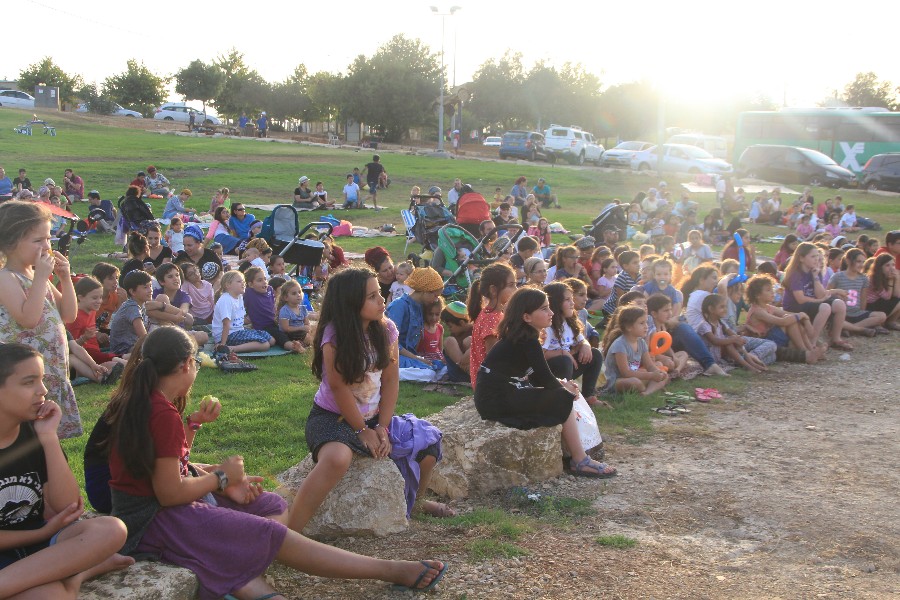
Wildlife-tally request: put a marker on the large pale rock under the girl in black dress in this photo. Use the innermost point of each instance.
(483, 456)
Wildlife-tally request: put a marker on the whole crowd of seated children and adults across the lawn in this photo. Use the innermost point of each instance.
(529, 328)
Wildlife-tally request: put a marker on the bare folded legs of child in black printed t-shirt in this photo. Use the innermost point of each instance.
(83, 550)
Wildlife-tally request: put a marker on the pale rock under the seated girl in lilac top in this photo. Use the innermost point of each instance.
(368, 501)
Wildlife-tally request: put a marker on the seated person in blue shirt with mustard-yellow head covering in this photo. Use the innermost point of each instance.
(407, 313)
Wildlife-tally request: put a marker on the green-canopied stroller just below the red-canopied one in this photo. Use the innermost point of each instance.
(462, 251)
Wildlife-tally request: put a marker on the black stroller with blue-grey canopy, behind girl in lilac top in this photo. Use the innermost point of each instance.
(282, 232)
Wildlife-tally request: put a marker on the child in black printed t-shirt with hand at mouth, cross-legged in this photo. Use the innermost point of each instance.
(49, 557)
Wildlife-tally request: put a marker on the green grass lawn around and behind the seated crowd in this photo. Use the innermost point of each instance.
(265, 411)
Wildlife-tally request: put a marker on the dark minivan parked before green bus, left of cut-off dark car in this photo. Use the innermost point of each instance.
(793, 165)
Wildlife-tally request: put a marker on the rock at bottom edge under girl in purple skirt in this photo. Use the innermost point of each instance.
(144, 580)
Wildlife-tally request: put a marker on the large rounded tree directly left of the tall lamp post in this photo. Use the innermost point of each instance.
(394, 89)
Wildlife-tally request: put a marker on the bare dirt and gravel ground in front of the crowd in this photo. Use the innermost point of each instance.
(787, 491)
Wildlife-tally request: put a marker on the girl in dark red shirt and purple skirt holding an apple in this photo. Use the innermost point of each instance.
(215, 521)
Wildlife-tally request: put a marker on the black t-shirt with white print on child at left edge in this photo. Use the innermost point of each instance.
(23, 473)
